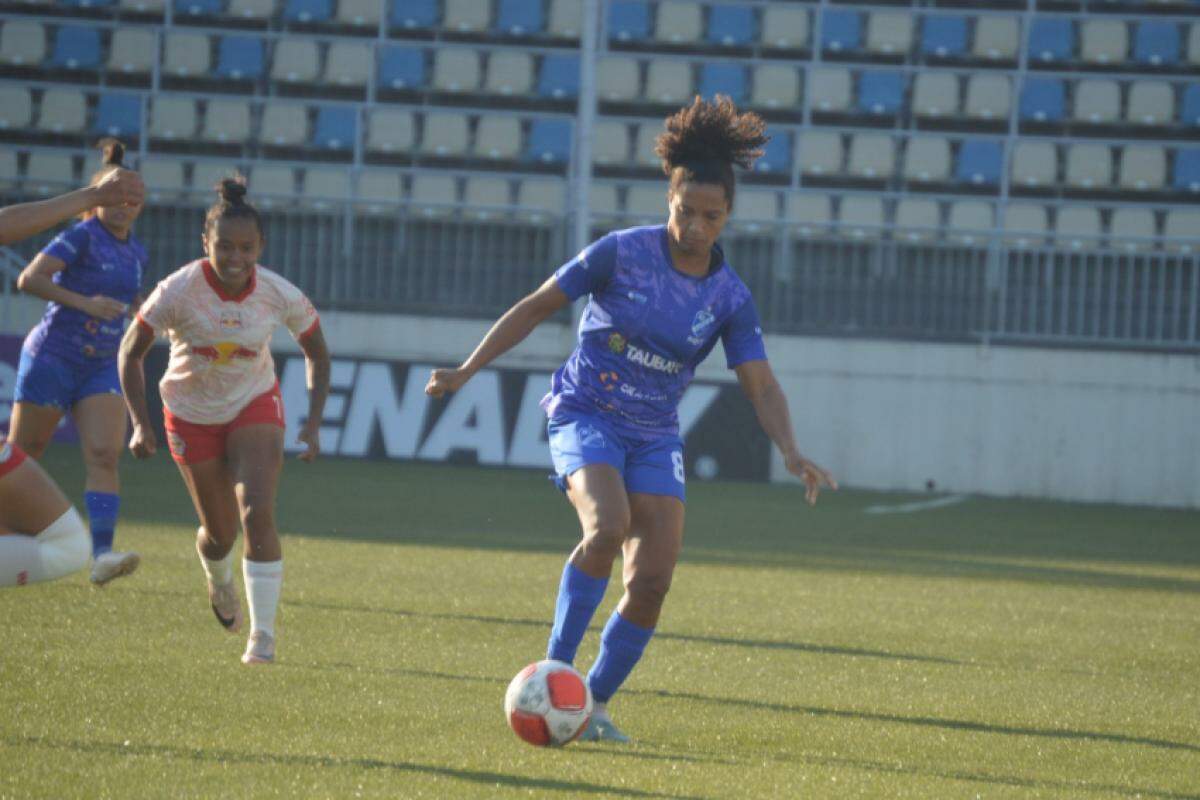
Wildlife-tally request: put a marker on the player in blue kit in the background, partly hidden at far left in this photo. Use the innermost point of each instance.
(92, 276)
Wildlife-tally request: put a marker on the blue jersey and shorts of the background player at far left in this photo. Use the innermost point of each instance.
(98, 263)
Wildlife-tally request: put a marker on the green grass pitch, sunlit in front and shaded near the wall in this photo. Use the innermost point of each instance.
(992, 649)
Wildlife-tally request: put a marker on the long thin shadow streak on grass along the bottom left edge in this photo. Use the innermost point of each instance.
(218, 756)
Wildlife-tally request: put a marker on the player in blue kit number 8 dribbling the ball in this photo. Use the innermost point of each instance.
(661, 299)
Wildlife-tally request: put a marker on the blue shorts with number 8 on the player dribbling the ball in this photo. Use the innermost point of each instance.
(649, 465)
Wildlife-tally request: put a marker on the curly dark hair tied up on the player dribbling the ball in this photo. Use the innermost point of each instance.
(705, 141)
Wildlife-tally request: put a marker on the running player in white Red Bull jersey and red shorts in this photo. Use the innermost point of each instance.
(223, 406)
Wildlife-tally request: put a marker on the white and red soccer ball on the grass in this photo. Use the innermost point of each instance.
(548, 703)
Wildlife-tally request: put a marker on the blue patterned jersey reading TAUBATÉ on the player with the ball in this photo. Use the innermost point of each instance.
(646, 329)
